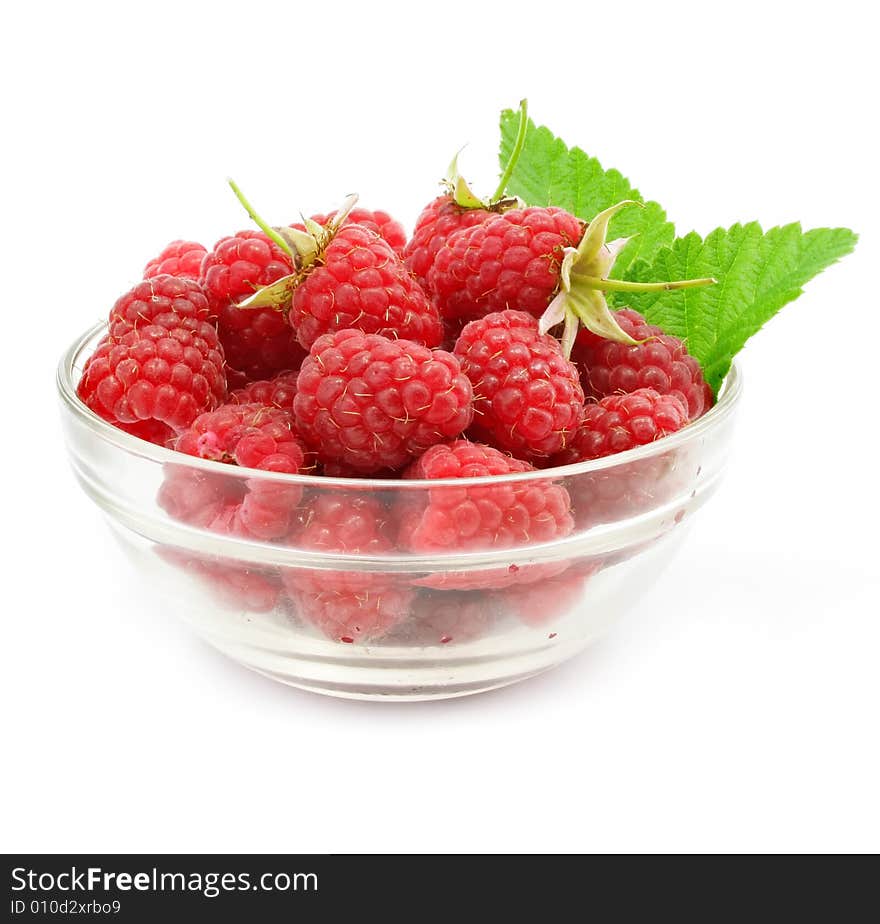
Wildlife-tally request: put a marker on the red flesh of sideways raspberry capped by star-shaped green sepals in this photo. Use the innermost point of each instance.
(511, 260)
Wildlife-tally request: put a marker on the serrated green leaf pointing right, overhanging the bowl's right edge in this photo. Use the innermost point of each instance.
(757, 274)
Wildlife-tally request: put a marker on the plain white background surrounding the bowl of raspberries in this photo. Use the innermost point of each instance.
(735, 709)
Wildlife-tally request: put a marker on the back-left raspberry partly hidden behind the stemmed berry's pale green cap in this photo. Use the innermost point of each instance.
(258, 341)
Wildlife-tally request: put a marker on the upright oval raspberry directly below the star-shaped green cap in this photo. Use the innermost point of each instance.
(528, 397)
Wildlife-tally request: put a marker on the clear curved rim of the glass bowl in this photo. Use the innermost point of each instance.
(728, 398)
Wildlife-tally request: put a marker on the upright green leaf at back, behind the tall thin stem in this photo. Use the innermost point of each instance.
(549, 173)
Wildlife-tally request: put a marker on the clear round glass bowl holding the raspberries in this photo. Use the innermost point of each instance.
(398, 625)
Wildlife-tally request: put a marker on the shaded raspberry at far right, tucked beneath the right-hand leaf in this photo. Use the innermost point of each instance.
(662, 363)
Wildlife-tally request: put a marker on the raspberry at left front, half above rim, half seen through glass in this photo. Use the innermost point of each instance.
(250, 436)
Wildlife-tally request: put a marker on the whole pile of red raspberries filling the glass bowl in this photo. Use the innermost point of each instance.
(390, 358)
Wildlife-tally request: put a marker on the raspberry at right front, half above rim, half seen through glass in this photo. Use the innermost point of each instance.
(615, 424)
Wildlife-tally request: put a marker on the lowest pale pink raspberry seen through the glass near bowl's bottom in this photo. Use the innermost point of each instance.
(354, 617)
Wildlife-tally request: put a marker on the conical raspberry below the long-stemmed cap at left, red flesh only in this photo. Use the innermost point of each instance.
(359, 282)
